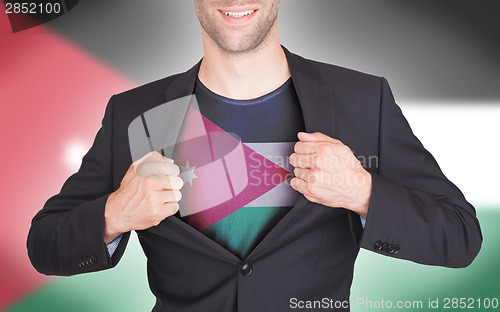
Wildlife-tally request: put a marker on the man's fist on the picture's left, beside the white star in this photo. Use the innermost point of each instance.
(148, 193)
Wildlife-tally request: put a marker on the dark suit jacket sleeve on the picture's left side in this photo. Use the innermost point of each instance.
(67, 236)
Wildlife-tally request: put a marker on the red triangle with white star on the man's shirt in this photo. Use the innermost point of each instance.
(221, 174)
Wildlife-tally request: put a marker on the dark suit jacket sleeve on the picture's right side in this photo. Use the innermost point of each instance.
(415, 212)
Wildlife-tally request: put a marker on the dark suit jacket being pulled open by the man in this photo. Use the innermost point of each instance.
(415, 213)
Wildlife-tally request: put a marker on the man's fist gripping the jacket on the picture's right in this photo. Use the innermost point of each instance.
(328, 173)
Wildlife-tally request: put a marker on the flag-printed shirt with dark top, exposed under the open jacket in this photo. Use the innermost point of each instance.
(253, 143)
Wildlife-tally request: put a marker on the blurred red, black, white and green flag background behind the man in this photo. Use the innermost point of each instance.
(440, 57)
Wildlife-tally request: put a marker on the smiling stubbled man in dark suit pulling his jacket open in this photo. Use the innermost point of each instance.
(257, 246)
